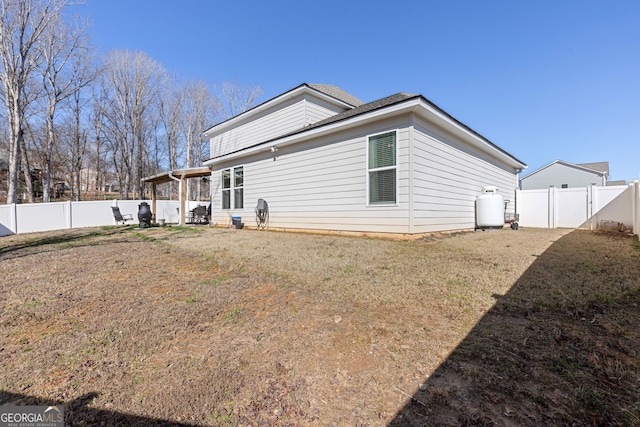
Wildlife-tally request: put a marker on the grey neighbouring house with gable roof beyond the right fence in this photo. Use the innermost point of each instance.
(561, 174)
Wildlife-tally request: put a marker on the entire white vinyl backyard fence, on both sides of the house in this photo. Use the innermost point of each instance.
(586, 207)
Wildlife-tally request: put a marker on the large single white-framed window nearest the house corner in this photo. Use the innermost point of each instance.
(382, 168)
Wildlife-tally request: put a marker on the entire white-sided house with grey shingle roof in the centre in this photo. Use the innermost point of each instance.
(324, 160)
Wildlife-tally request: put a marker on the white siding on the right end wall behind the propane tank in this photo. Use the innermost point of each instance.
(448, 177)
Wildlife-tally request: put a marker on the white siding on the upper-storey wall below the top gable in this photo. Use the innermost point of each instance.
(284, 118)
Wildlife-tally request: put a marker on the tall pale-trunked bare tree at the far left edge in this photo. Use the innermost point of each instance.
(22, 23)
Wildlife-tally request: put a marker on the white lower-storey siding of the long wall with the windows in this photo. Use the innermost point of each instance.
(321, 184)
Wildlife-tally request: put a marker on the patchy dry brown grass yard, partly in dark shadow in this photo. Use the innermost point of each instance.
(207, 326)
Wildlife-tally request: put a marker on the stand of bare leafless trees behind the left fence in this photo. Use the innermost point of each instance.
(45, 57)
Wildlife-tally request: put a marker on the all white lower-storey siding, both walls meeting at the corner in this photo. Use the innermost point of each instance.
(321, 184)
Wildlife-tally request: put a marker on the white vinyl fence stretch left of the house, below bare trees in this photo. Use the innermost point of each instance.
(32, 217)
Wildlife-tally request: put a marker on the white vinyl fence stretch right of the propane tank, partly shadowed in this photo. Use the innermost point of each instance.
(586, 207)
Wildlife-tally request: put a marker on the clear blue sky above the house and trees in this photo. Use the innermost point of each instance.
(544, 80)
